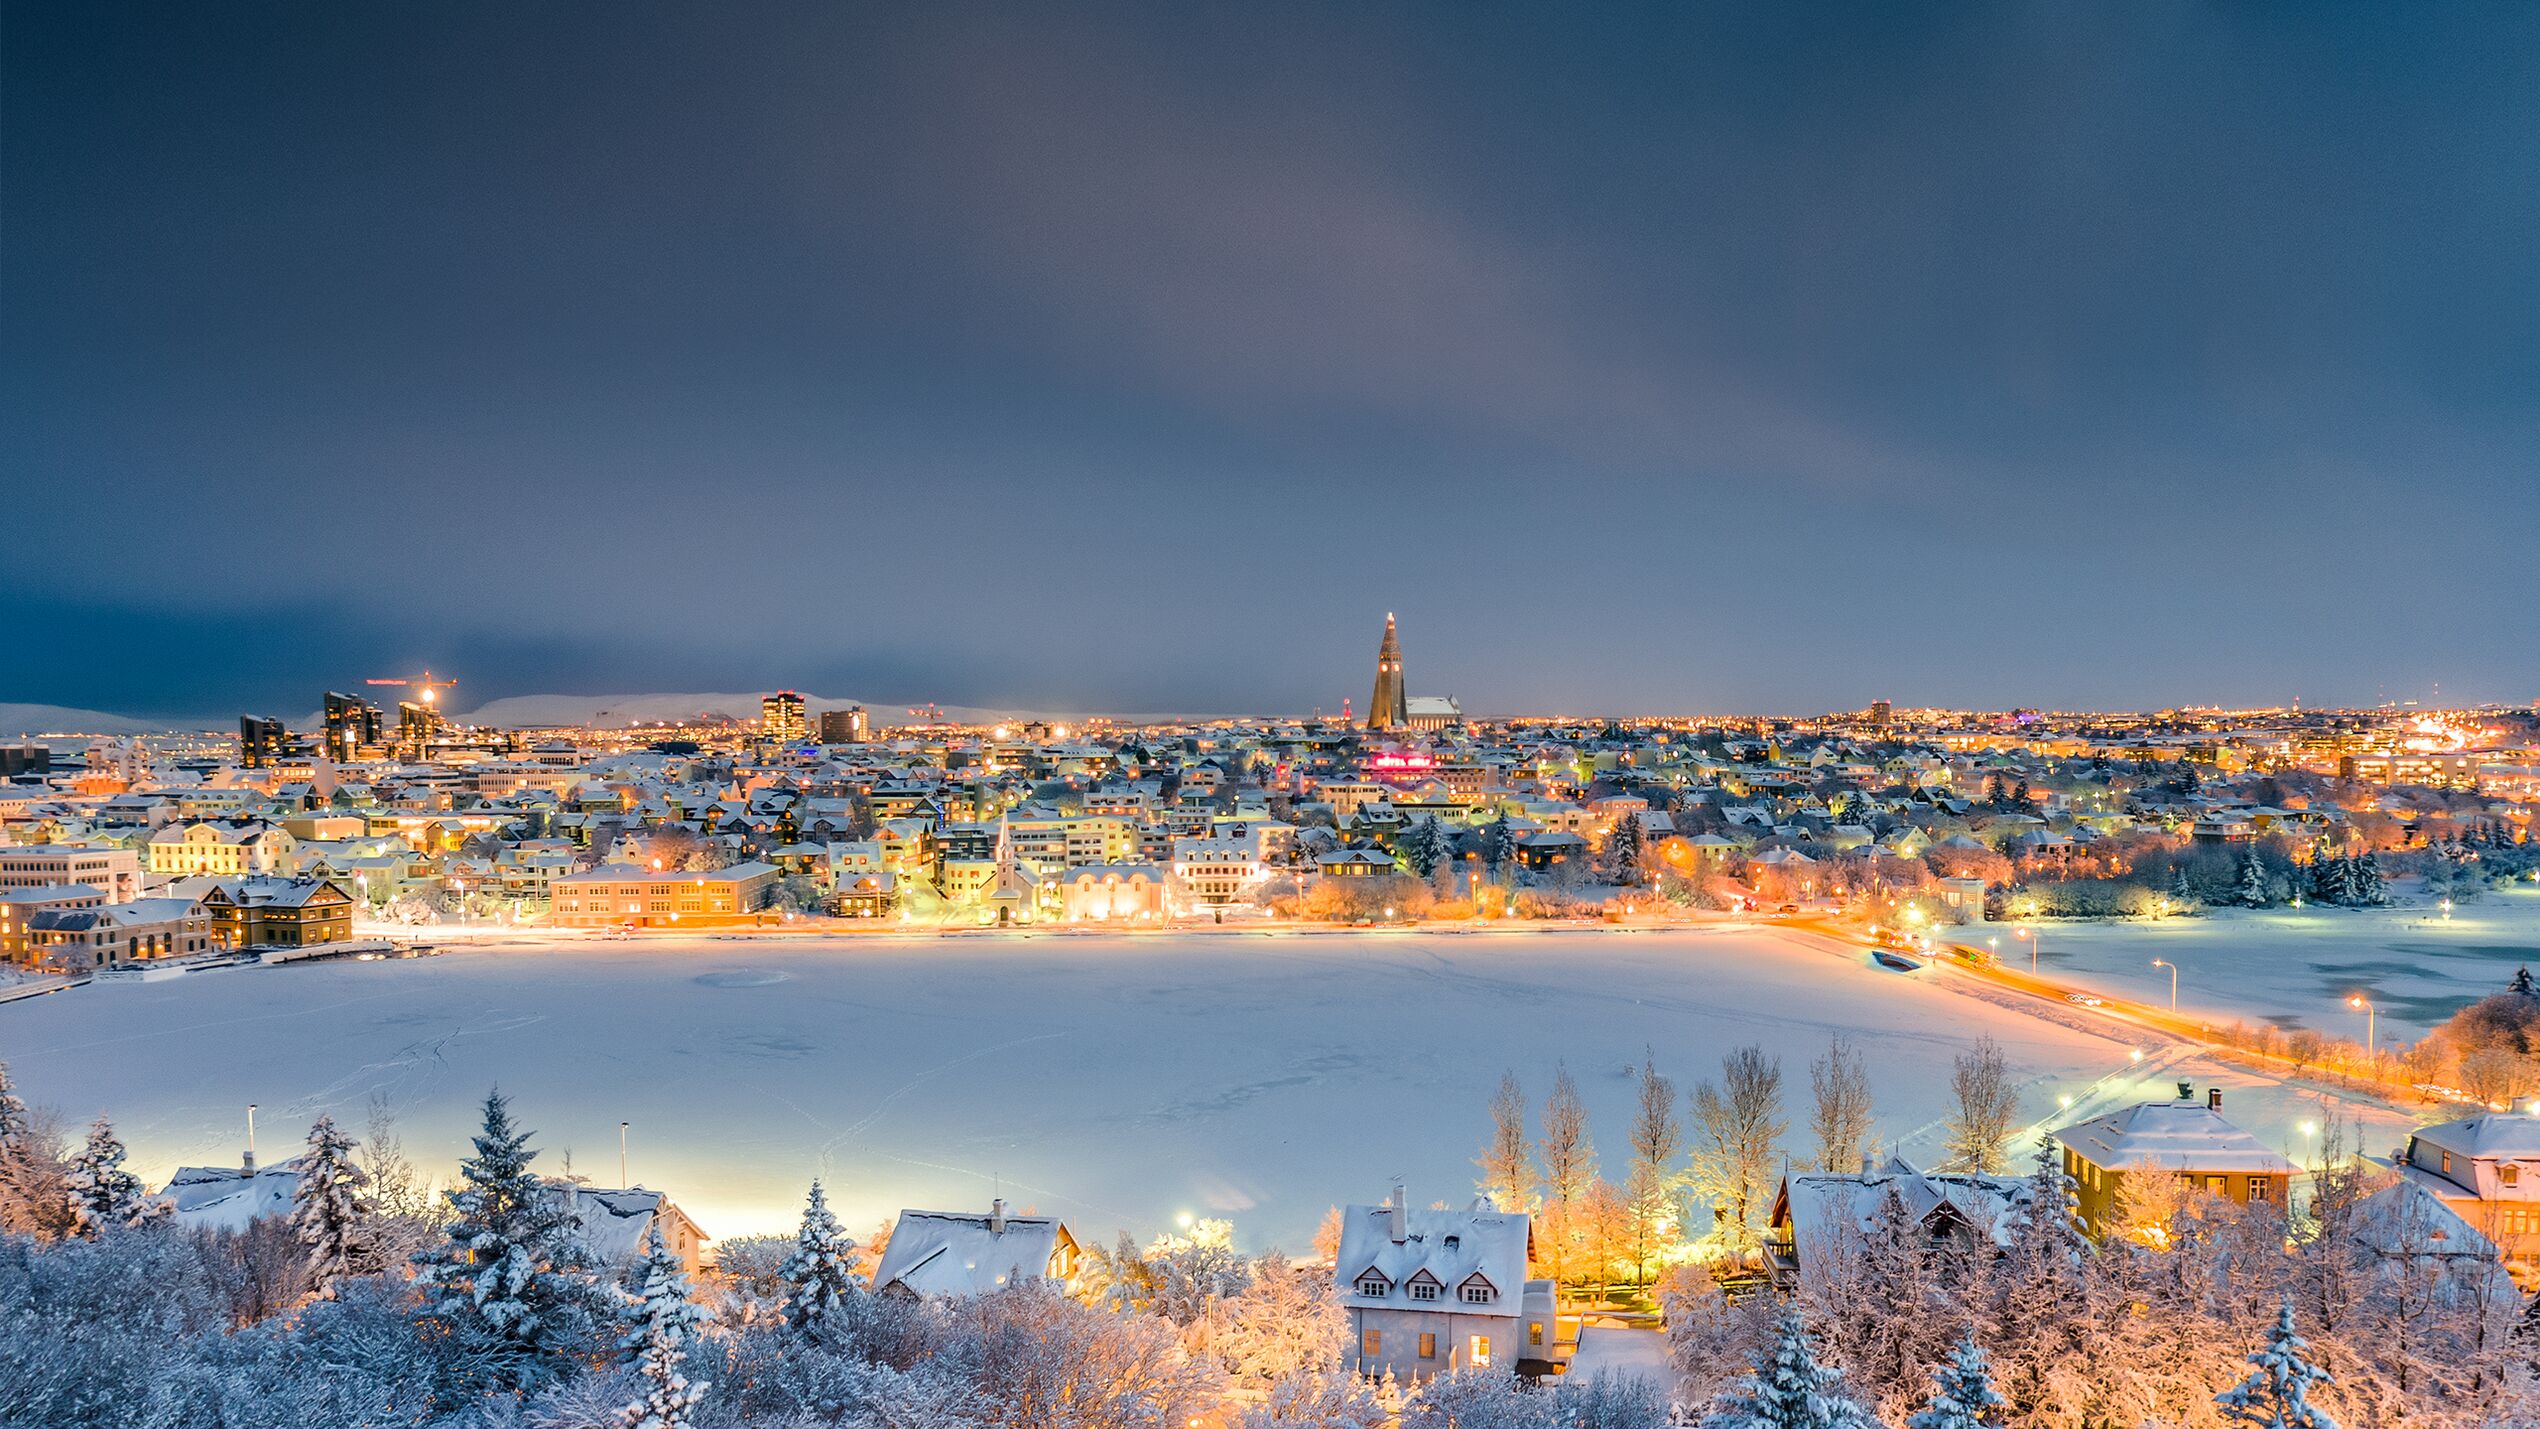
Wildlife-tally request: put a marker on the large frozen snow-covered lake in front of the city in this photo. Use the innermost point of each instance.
(1114, 1080)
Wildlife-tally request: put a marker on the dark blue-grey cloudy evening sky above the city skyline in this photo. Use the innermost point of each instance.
(1680, 359)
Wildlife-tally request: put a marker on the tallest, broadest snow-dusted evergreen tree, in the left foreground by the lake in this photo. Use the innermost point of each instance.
(509, 1283)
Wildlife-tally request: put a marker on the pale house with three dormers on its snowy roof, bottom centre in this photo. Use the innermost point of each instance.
(1441, 1291)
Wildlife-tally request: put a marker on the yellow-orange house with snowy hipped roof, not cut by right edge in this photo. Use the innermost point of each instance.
(2186, 1138)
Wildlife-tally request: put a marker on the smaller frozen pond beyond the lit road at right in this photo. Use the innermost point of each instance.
(2300, 966)
